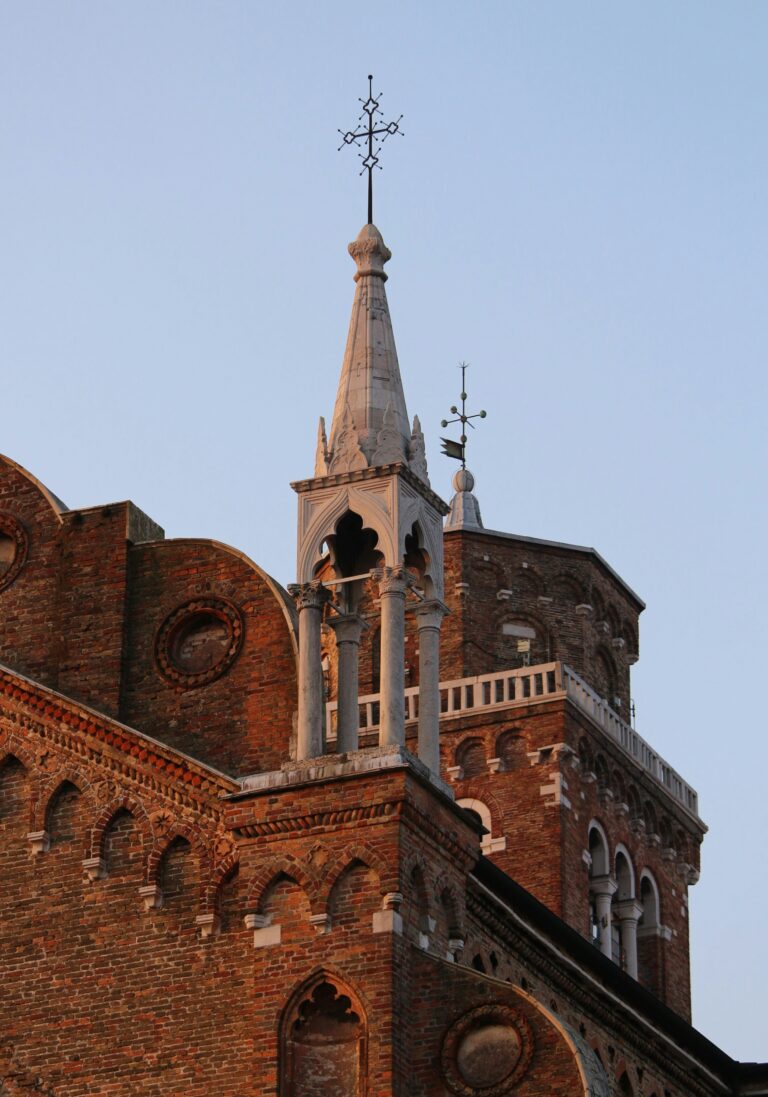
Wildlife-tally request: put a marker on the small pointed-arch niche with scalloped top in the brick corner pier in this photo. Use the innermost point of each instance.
(324, 1044)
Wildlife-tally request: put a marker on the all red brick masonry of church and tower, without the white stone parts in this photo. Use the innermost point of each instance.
(166, 931)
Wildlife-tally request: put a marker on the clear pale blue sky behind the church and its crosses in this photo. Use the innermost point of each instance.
(579, 209)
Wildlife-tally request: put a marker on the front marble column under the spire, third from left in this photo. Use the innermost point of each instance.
(393, 583)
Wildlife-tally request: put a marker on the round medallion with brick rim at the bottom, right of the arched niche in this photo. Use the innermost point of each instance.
(487, 1053)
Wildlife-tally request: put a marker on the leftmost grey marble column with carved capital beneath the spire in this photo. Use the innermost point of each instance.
(310, 598)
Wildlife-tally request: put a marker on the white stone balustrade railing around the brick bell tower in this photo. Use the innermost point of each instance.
(526, 686)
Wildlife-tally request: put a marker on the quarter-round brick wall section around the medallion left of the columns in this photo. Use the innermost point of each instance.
(241, 722)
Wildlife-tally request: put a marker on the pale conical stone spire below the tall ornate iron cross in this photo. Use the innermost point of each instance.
(370, 425)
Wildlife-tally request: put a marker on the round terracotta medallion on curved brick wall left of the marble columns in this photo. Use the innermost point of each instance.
(199, 642)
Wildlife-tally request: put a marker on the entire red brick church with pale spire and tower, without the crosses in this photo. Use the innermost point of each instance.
(389, 833)
